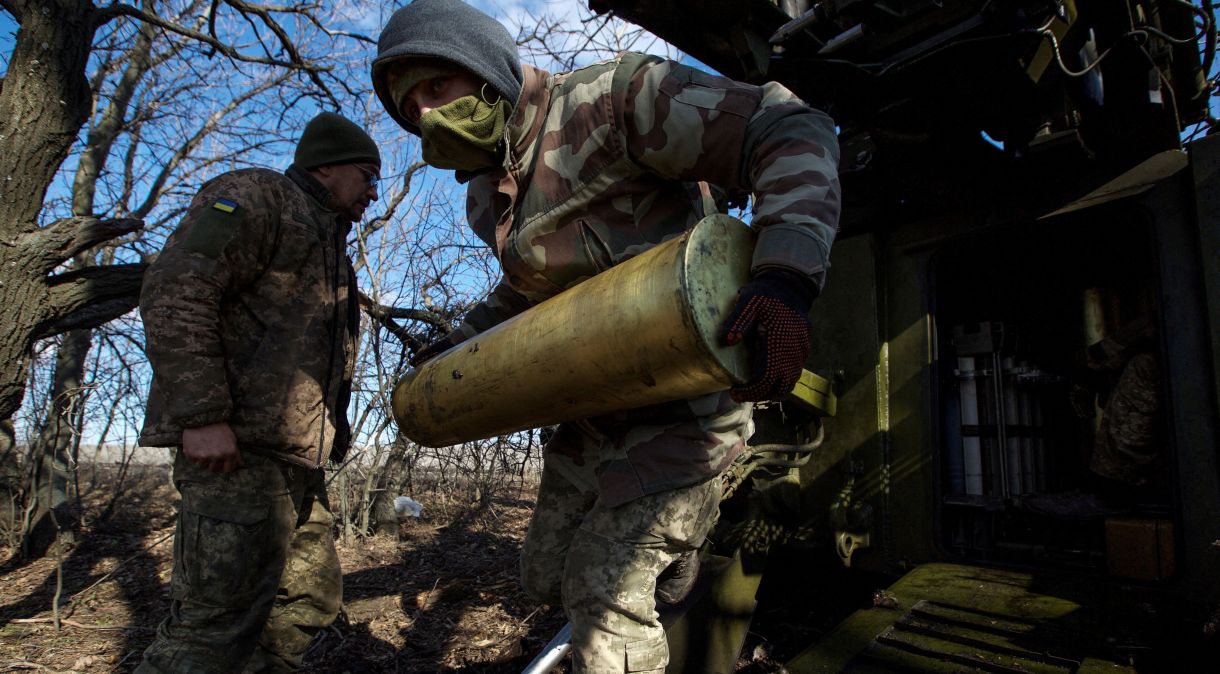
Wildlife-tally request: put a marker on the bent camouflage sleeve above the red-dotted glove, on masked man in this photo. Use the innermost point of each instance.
(691, 126)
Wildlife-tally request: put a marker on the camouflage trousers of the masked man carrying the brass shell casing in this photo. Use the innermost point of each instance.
(601, 561)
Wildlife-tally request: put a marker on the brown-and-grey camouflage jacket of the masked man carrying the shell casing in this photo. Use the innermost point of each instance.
(609, 161)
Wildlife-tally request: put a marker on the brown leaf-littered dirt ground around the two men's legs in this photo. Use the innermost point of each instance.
(442, 598)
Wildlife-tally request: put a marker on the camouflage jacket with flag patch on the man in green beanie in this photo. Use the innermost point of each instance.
(251, 318)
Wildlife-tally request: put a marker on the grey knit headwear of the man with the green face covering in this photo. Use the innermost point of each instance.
(453, 31)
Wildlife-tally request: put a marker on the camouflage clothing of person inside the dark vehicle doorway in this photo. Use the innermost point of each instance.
(1128, 443)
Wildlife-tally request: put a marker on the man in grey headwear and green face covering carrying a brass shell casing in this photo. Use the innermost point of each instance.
(570, 175)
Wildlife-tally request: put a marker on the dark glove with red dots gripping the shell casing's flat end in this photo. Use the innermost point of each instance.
(772, 317)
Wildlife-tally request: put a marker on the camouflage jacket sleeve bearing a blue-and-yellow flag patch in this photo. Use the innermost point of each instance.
(218, 247)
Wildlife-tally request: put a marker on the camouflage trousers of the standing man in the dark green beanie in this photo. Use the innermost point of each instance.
(256, 572)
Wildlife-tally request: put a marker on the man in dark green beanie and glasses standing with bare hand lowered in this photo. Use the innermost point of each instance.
(251, 321)
